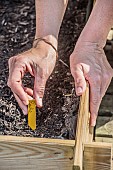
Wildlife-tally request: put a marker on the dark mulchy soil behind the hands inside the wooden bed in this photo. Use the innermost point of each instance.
(57, 118)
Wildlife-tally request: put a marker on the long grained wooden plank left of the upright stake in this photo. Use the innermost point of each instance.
(17, 153)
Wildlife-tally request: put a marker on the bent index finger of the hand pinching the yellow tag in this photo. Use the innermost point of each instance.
(15, 83)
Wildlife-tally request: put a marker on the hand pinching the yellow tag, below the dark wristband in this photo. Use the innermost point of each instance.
(39, 62)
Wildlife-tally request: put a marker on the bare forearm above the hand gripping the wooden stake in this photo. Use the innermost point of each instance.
(99, 23)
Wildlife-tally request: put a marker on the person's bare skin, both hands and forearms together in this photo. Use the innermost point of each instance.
(87, 62)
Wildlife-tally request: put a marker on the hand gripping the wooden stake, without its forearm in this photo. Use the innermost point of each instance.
(88, 62)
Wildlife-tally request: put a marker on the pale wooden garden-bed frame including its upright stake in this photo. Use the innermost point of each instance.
(25, 153)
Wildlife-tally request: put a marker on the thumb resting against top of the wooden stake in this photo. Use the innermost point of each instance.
(80, 82)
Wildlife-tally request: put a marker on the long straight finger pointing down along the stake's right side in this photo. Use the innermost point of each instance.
(95, 100)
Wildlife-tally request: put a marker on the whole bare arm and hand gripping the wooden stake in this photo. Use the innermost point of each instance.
(88, 60)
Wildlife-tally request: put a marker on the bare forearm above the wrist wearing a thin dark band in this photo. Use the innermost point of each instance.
(49, 15)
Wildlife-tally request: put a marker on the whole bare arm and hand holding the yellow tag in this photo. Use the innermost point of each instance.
(40, 61)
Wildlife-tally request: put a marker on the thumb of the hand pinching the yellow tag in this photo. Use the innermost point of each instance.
(39, 88)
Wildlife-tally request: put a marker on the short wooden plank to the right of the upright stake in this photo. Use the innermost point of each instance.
(97, 156)
